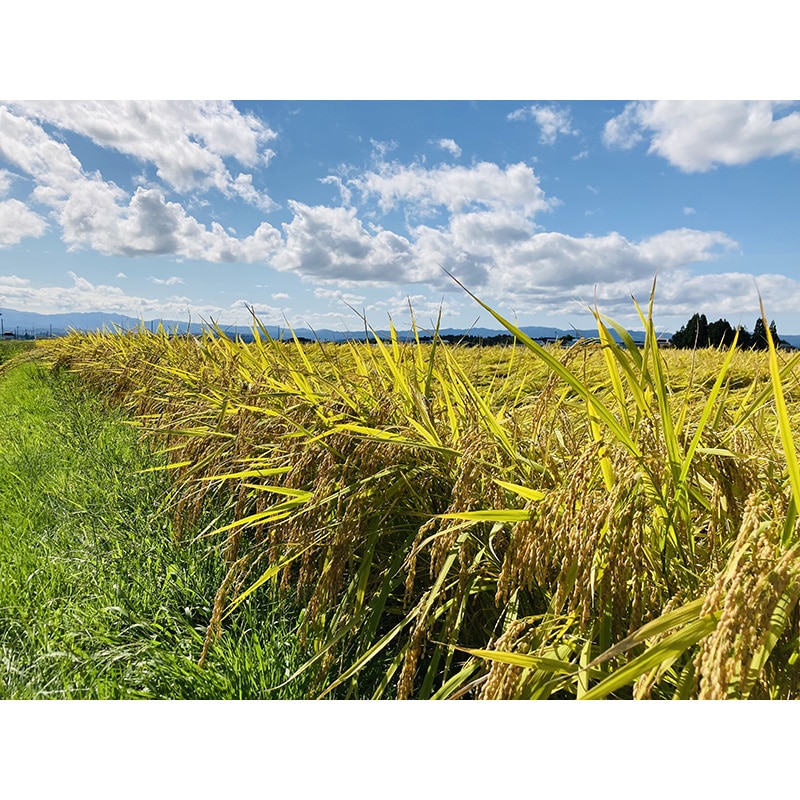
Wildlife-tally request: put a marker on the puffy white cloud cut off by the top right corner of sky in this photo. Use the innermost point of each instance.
(696, 136)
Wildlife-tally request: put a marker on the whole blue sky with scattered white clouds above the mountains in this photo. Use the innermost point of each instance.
(304, 208)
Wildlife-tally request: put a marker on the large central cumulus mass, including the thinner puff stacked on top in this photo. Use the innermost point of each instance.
(487, 235)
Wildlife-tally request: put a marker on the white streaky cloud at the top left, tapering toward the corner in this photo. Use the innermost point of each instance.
(186, 141)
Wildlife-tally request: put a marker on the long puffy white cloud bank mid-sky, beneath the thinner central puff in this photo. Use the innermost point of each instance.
(499, 252)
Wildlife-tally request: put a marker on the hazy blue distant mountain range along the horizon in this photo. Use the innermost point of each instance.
(26, 324)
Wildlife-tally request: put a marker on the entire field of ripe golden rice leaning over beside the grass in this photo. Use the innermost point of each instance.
(609, 520)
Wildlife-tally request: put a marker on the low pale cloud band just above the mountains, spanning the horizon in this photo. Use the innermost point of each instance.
(679, 294)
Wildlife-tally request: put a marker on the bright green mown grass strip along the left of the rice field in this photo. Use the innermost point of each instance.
(97, 600)
